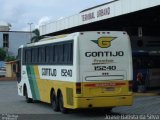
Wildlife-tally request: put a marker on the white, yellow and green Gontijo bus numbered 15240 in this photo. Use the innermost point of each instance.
(79, 70)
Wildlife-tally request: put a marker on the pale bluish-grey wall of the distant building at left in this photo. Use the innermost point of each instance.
(15, 40)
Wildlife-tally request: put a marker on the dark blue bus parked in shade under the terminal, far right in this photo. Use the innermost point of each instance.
(147, 63)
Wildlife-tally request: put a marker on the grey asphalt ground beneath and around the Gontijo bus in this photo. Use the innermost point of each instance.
(14, 107)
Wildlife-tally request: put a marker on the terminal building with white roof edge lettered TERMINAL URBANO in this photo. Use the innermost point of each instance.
(141, 20)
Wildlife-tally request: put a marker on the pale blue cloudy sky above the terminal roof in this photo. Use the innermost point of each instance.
(19, 13)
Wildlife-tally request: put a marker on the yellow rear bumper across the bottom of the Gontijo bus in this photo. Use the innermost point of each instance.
(103, 102)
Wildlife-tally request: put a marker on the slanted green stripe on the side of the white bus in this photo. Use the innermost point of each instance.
(33, 82)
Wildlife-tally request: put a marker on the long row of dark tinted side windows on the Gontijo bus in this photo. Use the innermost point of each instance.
(56, 54)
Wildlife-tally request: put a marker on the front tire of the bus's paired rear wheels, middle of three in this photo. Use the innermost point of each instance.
(54, 103)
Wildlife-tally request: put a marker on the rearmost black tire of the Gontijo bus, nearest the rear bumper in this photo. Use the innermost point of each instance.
(61, 104)
